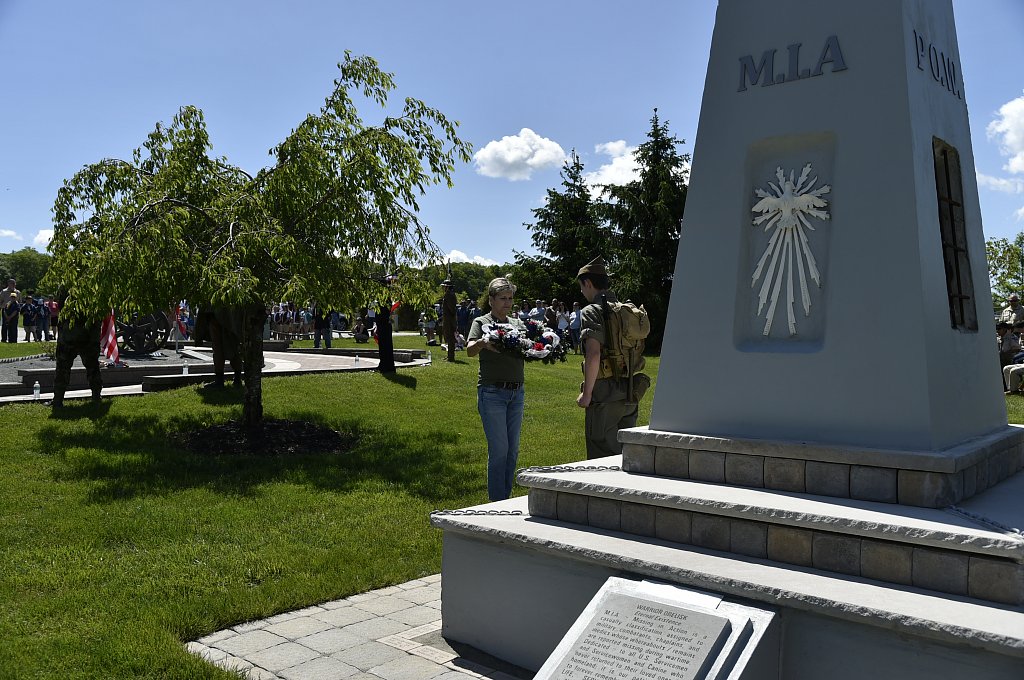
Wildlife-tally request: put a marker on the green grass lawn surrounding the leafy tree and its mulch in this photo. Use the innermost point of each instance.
(119, 546)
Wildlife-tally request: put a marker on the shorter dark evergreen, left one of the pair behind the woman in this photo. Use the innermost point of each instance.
(569, 232)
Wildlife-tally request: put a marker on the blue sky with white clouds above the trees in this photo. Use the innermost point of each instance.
(530, 81)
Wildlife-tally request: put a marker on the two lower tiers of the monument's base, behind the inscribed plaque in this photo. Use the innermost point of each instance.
(859, 598)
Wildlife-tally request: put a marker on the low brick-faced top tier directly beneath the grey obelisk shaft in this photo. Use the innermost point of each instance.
(926, 479)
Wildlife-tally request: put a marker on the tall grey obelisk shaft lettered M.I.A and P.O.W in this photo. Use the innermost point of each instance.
(831, 291)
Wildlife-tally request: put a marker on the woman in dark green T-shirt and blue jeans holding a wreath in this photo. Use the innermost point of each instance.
(499, 390)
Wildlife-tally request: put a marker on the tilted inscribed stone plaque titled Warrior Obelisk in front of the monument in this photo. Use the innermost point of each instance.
(626, 634)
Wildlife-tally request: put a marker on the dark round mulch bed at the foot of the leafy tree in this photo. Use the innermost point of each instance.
(271, 438)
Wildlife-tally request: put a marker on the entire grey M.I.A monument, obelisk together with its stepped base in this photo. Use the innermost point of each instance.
(829, 442)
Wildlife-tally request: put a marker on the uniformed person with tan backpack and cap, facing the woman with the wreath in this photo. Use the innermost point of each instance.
(607, 399)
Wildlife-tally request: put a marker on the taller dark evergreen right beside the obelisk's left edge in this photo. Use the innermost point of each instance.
(647, 215)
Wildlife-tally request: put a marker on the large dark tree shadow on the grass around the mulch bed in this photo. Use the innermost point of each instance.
(134, 456)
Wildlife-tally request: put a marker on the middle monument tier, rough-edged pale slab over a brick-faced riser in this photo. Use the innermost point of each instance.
(958, 551)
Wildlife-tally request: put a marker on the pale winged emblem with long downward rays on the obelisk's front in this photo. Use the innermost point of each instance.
(788, 209)
